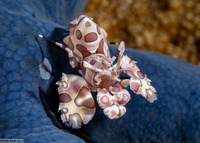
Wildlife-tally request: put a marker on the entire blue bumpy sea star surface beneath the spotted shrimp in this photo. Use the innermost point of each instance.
(28, 103)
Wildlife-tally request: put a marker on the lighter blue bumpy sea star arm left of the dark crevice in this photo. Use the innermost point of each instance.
(22, 114)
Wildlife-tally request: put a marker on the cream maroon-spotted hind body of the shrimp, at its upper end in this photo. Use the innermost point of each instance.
(84, 42)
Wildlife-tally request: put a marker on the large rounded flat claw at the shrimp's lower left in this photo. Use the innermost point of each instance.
(77, 99)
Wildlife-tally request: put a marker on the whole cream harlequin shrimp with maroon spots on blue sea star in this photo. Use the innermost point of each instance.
(88, 52)
